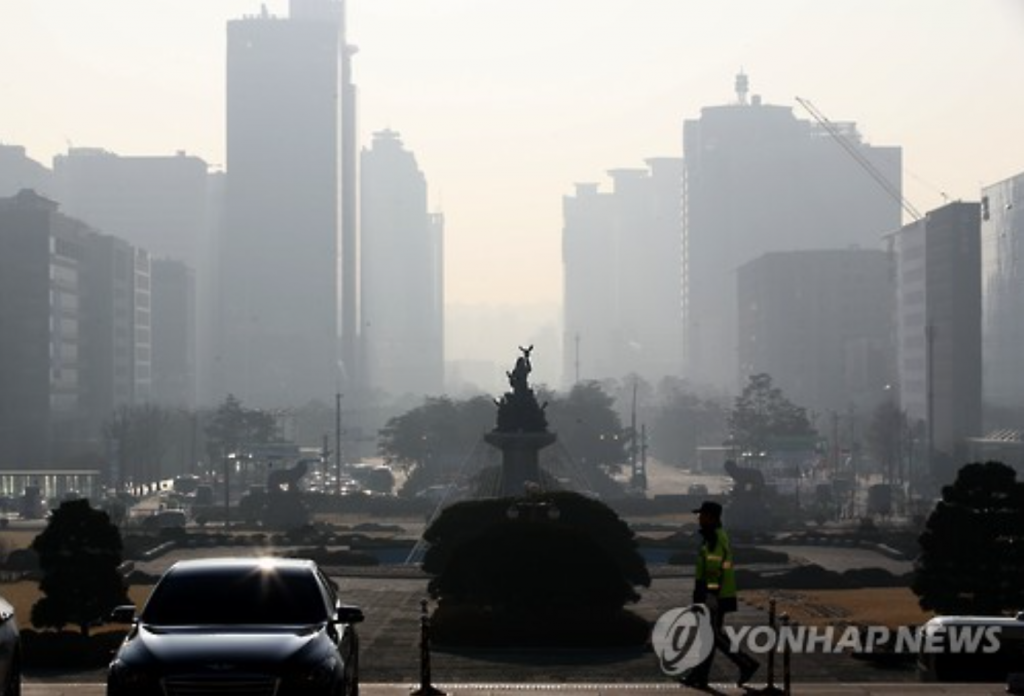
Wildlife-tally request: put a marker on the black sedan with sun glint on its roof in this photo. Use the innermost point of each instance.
(239, 626)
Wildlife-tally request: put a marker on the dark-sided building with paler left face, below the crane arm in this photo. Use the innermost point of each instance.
(938, 330)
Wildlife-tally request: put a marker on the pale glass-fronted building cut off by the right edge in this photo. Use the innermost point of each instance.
(1003, 300)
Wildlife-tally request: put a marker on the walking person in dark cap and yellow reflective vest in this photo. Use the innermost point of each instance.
(715, 587)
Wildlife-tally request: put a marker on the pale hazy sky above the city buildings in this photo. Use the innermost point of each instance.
(507, 105)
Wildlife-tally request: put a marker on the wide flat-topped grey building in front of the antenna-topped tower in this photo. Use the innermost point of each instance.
(820, 323)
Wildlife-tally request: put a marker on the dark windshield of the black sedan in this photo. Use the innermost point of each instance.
(237, 596)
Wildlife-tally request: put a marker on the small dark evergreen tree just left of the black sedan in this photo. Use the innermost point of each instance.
(79, 554)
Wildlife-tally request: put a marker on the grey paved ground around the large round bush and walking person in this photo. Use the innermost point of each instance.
(391, 641)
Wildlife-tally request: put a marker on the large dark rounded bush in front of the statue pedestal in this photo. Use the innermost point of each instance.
(534, 562)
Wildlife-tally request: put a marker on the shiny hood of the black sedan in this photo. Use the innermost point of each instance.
(220, 649)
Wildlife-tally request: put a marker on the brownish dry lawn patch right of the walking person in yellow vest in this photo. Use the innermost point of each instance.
(876, 606)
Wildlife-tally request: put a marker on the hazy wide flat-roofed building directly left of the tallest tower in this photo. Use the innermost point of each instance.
(163, 205)
